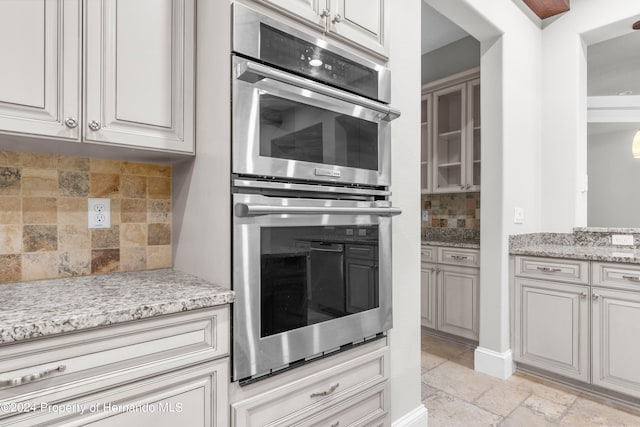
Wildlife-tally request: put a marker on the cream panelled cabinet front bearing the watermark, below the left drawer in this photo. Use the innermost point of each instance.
(190, 397)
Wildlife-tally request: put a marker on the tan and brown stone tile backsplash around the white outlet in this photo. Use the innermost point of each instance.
(43, 216)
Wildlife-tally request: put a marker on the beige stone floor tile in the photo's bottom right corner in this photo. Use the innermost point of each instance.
(586, 412)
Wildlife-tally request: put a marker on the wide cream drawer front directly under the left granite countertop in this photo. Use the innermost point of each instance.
(112, 355)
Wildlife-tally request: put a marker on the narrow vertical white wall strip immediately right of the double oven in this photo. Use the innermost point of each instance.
(405, 178)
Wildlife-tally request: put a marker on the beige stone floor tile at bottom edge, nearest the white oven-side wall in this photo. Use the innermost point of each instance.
(448, 411)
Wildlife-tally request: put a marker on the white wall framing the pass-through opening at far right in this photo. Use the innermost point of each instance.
(564, 135)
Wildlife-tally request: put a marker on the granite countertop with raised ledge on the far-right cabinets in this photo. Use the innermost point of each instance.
(585, 243)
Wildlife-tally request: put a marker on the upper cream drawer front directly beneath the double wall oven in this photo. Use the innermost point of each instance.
(293, 401)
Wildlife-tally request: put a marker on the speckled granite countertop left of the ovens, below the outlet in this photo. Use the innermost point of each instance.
(47, 307)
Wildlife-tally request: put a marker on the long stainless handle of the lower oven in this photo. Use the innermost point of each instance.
(245, 210)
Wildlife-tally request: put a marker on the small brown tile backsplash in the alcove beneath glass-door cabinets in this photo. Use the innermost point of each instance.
(452, 210)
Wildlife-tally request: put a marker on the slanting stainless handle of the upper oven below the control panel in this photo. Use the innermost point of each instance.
(248, 71)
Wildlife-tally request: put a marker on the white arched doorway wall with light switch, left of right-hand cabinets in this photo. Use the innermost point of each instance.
(511, 117)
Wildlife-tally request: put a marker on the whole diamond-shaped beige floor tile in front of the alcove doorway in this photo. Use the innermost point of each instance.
(459, 381)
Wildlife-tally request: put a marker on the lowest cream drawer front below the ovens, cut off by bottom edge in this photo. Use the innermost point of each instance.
(364, 409)
